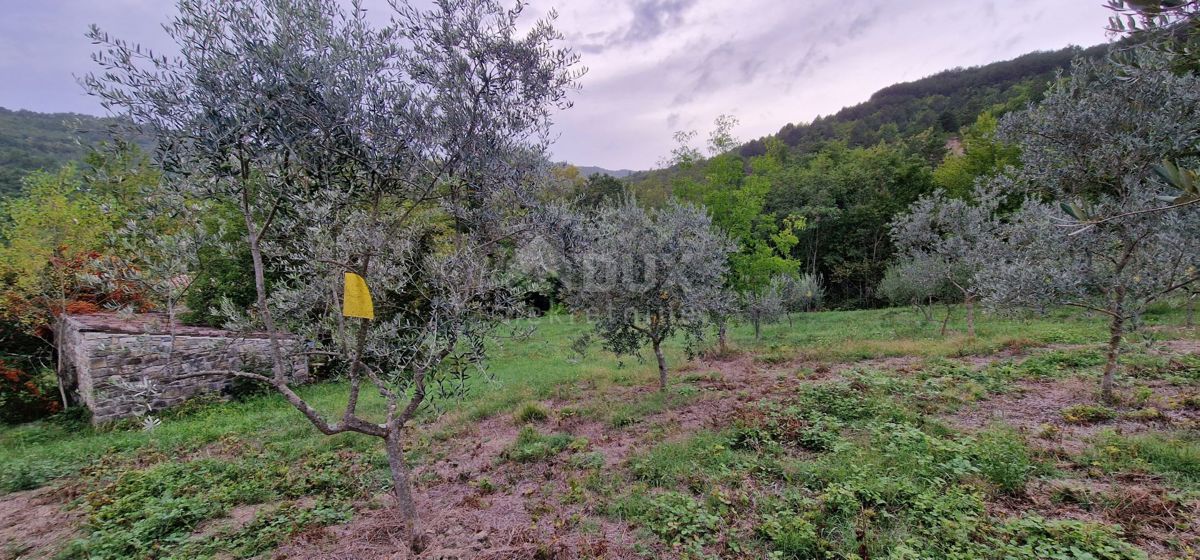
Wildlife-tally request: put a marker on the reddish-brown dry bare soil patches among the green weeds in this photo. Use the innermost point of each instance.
(525, 519)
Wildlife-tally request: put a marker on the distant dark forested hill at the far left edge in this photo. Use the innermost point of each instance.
(34, 141)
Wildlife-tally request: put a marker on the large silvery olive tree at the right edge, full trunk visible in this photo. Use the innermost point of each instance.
(1090, 148)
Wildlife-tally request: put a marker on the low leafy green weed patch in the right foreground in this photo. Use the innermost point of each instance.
(885, 481)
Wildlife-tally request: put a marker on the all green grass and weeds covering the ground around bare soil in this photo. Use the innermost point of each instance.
(839, 468)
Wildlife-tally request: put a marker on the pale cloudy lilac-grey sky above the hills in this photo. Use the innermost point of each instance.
(653, 67)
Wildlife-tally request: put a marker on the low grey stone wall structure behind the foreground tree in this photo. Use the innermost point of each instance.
(123, 366)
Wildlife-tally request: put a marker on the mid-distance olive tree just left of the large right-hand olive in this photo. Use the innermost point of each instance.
(945, 239)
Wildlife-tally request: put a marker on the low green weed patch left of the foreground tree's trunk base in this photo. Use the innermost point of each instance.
(157, 511)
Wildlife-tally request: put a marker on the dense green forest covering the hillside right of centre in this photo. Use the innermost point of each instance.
(847, 176)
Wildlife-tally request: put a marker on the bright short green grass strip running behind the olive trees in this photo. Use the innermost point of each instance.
(532, 369)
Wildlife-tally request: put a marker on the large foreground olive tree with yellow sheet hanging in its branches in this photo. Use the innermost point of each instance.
(404, 153)
